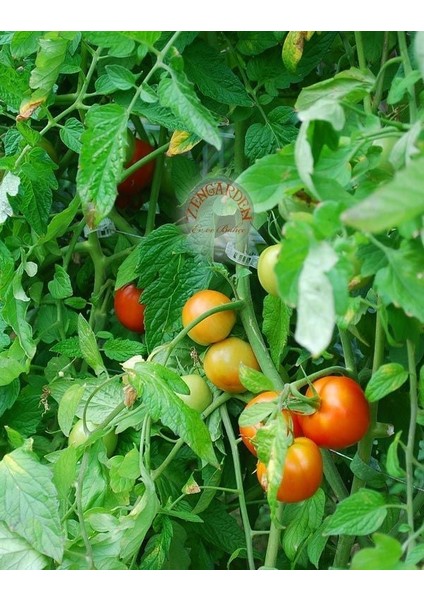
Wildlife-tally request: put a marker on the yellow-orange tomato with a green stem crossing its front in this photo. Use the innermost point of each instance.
(214, 328)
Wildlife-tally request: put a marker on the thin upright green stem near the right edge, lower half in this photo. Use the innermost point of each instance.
(409, 454)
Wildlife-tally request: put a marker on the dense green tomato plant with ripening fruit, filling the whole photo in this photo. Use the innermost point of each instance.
(265, 139)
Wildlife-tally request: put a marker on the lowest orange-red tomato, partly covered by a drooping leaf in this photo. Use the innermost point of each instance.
(302, 473)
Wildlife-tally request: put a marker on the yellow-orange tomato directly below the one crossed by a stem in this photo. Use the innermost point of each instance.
(222, 363)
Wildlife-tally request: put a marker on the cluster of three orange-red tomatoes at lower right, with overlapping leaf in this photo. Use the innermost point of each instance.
(340, 420)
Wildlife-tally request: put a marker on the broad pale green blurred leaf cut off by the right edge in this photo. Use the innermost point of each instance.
(392, 204)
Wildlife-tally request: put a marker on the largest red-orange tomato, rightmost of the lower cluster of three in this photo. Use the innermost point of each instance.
(343, 416)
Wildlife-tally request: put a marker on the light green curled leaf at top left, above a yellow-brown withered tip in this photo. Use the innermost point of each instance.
(49, 60)
